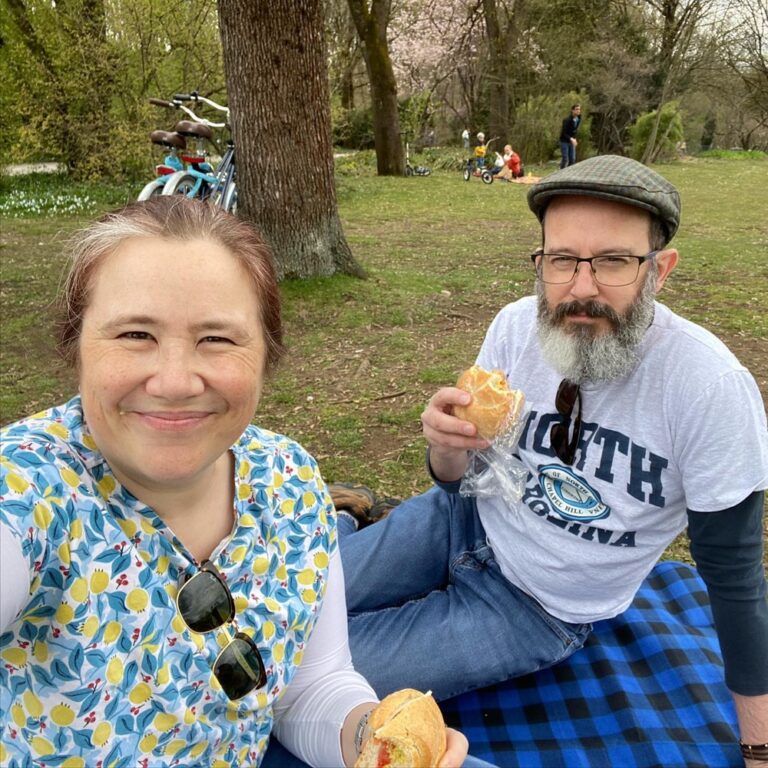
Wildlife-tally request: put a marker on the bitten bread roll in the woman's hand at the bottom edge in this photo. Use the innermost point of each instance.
(407, 732)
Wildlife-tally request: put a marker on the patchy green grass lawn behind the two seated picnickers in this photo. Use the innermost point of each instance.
(443, 256)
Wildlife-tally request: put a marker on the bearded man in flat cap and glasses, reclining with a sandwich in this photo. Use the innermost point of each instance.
(639, 424)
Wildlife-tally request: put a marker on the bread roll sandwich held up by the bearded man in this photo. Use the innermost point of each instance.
(494, 406)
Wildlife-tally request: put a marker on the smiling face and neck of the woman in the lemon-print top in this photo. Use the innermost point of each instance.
(166, 391)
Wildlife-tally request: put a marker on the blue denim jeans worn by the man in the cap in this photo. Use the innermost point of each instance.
(429, 608)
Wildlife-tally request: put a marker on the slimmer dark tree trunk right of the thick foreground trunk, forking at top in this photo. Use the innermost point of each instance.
(371, 27)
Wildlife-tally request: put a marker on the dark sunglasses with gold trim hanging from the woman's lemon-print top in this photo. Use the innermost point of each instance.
(205, 604)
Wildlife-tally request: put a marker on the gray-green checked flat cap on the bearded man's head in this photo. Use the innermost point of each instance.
(611, 177)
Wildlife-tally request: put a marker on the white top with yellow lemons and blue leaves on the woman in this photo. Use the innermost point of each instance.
(99, 667)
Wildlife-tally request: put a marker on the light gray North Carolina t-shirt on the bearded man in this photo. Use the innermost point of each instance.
(685, 429)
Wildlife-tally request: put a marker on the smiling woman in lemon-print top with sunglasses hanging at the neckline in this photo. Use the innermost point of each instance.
(170, 584)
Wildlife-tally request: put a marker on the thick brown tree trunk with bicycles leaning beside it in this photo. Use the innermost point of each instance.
(275, 68)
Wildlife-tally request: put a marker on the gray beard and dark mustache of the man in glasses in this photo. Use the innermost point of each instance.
(580, 354)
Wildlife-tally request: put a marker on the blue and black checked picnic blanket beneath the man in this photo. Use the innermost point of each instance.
(646, 690)
